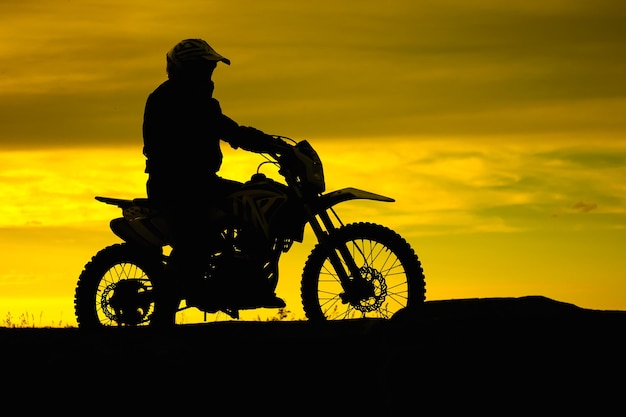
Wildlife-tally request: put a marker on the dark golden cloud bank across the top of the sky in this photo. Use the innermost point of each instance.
(79, 72)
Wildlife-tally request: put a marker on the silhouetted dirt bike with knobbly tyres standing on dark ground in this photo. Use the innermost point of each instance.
(355, 270)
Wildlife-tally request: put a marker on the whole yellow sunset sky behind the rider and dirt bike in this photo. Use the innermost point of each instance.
(498, 127)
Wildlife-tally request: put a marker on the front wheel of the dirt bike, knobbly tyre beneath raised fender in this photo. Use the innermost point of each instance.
(390, 278)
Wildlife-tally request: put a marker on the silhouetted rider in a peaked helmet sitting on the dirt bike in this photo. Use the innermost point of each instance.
(182, 128)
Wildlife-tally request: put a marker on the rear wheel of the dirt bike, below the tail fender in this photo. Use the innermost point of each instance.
(116, 287)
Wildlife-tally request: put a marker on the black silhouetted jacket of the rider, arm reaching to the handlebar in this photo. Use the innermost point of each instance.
(182, 127)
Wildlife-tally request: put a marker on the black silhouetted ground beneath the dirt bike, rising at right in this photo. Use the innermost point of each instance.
(489, 355)
